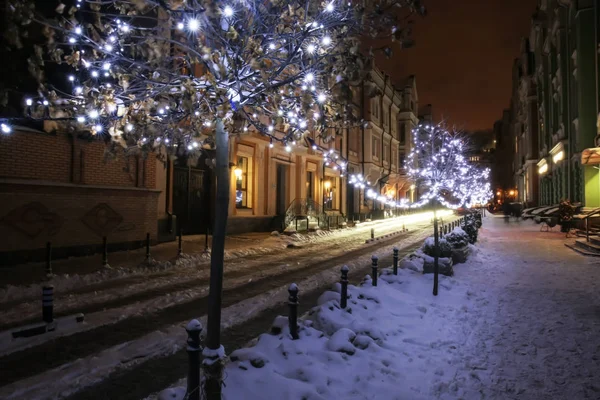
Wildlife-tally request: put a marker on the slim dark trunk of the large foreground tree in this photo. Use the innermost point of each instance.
(213, 336)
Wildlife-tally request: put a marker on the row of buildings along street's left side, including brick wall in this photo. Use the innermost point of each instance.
(60, 187)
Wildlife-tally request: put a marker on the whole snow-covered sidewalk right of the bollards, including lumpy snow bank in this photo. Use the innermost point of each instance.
(519, 320)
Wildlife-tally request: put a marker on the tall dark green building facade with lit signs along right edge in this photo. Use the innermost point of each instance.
(554, 106)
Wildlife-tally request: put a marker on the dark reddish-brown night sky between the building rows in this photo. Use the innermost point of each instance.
(463, 58)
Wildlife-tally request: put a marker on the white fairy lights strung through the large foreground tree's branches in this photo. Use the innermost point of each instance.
(102, 102)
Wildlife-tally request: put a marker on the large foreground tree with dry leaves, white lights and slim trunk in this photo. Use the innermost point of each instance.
(177, 76)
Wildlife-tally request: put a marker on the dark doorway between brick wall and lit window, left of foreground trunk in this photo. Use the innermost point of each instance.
(191, 199)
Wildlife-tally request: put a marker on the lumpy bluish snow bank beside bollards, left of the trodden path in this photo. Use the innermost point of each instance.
(393, 341)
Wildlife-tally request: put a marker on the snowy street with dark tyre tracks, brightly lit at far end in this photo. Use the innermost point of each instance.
(129, 329)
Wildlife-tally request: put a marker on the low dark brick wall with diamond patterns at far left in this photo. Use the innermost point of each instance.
(54, 188)
